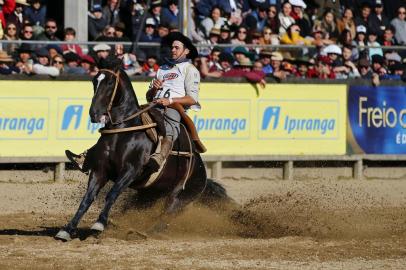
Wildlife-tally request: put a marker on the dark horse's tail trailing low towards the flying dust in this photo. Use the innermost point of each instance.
(215, 194)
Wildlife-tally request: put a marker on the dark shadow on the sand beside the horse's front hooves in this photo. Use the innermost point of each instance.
(81, 234)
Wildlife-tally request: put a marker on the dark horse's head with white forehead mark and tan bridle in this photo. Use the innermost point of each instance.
(112, 93)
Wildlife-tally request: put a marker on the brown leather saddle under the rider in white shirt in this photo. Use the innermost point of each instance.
(154, 116)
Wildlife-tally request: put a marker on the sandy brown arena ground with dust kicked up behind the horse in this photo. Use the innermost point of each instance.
(291, 225)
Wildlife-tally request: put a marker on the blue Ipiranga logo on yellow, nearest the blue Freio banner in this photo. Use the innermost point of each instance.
(298, 119)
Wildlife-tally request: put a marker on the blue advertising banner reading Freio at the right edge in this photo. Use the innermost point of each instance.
(377, 120)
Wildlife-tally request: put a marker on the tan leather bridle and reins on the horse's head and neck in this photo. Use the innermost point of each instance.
(118, 130)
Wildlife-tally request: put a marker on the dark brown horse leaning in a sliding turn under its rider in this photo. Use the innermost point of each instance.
(122, 157)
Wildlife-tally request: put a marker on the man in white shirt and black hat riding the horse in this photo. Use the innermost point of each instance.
(177, 80)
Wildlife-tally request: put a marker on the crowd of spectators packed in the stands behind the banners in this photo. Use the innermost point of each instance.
(335, 39)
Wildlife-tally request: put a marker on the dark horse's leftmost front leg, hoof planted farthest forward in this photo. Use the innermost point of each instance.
(96, 183)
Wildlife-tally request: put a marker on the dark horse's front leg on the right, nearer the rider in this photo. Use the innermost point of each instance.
(118, 187)
